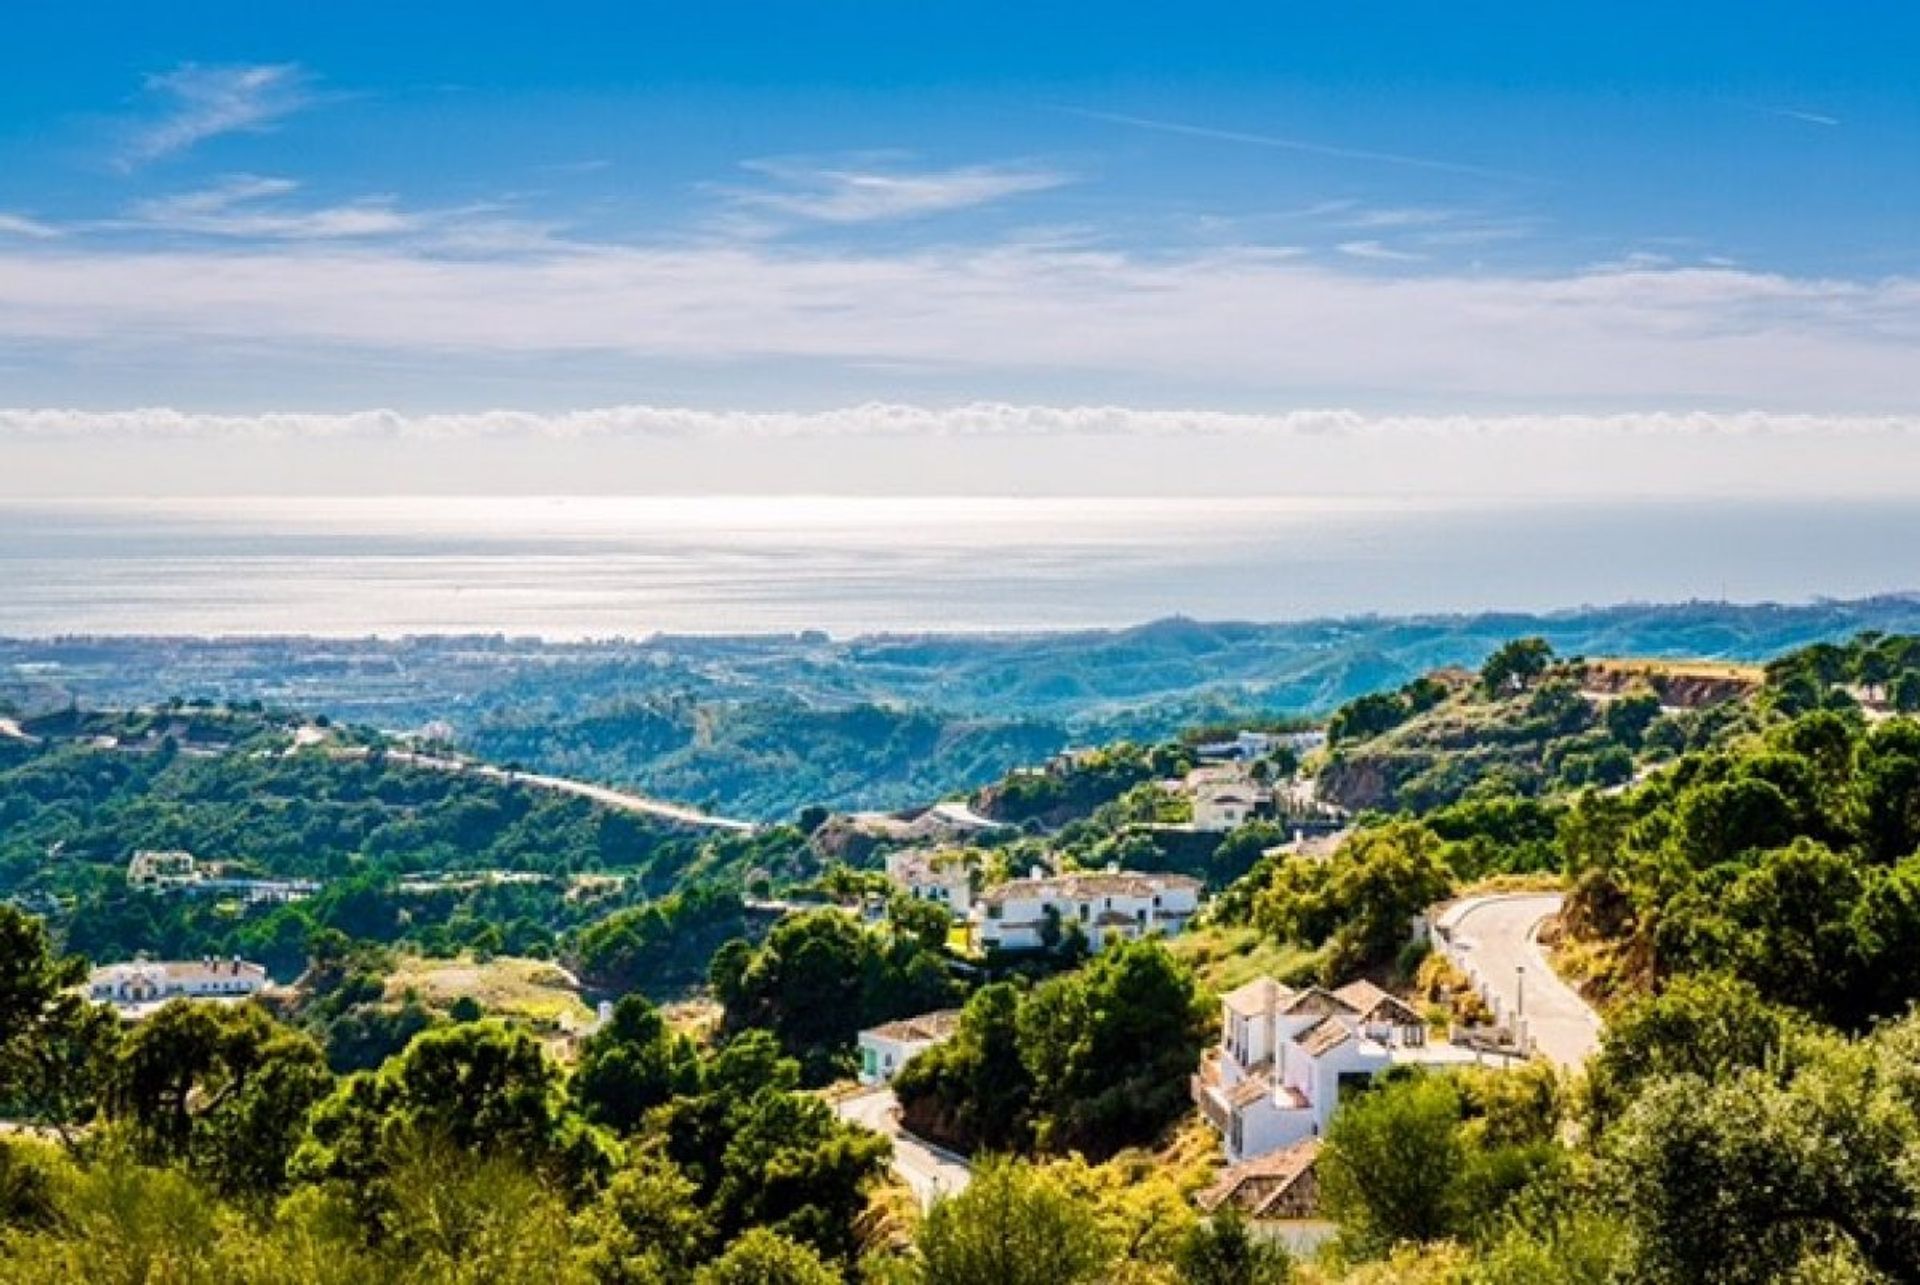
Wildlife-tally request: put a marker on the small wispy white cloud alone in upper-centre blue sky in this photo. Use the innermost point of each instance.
(853, 193)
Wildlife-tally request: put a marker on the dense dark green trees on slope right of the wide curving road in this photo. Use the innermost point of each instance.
(1790, 861)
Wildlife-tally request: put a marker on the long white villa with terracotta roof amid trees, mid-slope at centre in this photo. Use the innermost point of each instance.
(1113, 906)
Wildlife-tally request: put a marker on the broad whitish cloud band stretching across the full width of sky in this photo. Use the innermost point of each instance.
(1243, 322)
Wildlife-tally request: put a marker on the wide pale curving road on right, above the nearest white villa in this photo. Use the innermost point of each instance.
(1499, 934)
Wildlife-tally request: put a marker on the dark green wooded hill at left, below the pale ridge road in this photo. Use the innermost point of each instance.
(400, 854)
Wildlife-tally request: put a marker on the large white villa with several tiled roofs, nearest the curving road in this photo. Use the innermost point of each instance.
(1287, 1057)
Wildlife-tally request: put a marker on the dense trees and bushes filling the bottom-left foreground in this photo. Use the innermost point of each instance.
(220, 1148)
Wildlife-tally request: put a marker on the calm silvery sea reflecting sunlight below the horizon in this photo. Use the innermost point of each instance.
(573, 568)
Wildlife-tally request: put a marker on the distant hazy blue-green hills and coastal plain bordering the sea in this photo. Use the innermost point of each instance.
(763, 727)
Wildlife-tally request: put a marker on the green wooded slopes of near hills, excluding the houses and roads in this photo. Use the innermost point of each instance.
(1740, 856)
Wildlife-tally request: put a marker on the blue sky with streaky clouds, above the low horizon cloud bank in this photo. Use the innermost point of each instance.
(1404, 212)
